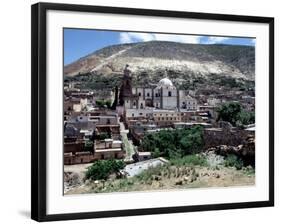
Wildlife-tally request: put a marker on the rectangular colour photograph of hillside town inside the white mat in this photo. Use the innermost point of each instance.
(151, 112)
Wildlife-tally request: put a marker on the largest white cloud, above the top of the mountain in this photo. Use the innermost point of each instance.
(130, 37)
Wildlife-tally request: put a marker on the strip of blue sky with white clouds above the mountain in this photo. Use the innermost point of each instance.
(80, 42)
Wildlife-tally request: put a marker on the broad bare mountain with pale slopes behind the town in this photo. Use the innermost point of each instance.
(150, 59)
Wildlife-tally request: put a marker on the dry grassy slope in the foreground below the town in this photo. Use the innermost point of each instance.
(184, 173)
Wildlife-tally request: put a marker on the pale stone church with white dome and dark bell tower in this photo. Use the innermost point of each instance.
(164, 96)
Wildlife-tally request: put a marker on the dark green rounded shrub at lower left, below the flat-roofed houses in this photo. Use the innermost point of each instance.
(101, 169)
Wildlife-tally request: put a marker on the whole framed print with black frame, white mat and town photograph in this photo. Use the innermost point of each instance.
(139, 111)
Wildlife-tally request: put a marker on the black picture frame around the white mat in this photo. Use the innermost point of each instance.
(39, 122)
